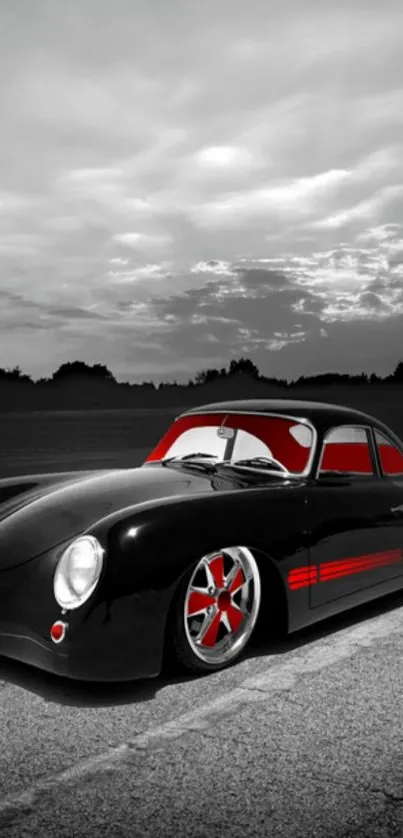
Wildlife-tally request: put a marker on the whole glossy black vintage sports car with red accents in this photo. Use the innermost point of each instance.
(272, 510)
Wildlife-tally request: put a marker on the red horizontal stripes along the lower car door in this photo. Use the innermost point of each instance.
(303, 577)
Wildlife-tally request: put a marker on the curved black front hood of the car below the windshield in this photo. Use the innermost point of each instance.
(40, 512)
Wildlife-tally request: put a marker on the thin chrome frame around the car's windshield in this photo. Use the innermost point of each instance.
(297, 420)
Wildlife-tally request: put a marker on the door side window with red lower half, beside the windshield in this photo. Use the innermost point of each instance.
(346, 450)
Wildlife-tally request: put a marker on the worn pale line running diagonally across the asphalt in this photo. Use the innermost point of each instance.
(282, 677)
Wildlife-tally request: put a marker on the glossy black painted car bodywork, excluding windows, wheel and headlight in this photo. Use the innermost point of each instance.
(155, 522)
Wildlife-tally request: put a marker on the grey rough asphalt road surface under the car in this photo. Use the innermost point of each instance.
(301, 738)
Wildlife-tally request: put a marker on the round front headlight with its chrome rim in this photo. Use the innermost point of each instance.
(78, 572)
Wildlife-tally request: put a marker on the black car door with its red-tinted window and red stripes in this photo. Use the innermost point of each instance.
(355, 528)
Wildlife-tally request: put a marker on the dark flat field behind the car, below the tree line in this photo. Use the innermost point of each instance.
(44, 441)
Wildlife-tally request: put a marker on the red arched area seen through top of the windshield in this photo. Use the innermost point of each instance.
(273, 431)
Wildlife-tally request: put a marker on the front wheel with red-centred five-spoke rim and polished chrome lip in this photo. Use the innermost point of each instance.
(216, 610)
